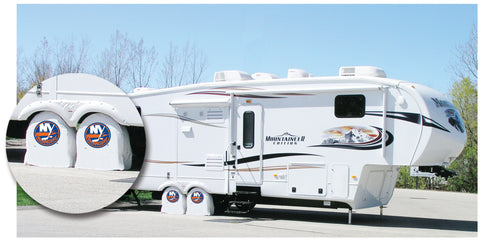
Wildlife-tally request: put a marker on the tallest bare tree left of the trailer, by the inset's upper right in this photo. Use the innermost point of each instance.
(113, 62)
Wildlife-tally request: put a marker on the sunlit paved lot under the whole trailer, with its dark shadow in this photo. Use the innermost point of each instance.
(411, 213)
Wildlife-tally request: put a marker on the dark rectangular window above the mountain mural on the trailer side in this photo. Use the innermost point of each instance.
(349, 106)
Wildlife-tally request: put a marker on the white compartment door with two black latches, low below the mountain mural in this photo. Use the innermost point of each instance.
(307, 179)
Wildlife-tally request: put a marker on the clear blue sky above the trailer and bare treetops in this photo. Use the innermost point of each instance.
(410, 42)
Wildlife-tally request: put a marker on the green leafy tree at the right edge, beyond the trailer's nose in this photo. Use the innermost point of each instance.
(464, 97)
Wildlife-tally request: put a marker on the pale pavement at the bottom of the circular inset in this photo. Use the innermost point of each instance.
(72, 190)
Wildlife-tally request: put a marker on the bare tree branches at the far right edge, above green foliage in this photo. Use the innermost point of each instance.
(466, 62)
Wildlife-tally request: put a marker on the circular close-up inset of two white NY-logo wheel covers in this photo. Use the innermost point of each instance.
(75, 143)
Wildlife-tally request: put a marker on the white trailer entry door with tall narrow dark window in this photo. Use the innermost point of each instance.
(249, 159)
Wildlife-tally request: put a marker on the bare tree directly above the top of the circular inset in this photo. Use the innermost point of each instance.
(71, 57)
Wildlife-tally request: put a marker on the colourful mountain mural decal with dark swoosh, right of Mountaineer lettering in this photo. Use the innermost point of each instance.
(354, 137)
